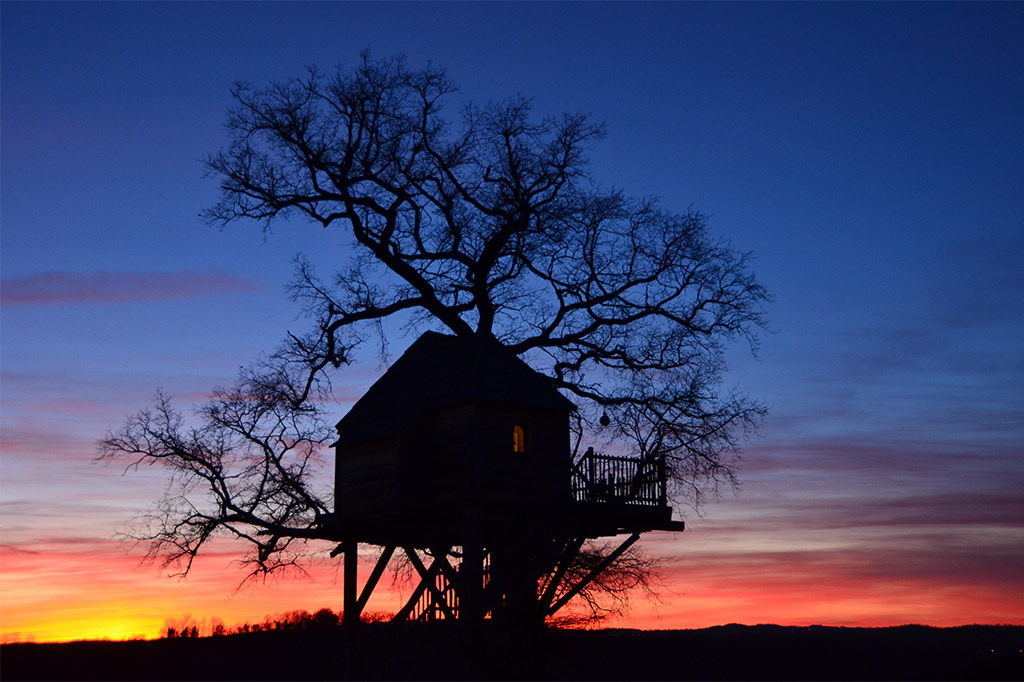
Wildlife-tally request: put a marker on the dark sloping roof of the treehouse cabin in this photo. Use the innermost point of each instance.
(440, 370)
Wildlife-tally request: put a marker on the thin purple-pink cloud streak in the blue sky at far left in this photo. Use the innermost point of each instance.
(106, 287)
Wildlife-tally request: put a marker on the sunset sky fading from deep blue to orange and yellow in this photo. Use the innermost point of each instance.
(870, 156)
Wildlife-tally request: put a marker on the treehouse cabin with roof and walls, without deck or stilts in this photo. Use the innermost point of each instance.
(457, 430)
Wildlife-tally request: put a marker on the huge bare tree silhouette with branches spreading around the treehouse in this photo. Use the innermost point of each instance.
(483, 221)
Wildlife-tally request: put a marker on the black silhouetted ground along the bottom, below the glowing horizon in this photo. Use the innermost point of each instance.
(436, 653)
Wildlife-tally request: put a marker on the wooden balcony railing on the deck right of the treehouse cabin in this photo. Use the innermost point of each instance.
(611, 479)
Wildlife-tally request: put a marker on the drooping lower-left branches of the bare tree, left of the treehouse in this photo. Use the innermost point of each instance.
(246, 467)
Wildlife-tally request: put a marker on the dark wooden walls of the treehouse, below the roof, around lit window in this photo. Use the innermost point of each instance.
(458, 458)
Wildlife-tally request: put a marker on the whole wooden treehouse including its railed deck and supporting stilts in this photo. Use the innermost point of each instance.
(461, 452)
